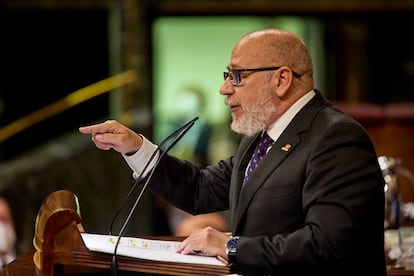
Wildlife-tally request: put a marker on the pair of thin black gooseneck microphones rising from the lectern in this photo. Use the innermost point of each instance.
(176, 136)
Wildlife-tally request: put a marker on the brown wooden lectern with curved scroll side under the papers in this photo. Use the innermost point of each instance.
(60, 250)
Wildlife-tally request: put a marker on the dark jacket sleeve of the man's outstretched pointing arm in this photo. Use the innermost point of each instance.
(186, 186)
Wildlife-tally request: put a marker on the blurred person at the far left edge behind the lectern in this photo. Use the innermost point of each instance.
(7, 234)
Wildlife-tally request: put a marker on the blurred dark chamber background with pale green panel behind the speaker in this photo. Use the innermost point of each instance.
(50, 49)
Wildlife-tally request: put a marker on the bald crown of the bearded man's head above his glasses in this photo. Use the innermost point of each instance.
(274, 47)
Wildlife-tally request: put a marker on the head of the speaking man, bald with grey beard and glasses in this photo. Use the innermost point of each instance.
(285, 67)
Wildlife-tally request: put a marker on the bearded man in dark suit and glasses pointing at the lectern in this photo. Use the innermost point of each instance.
(314, 204)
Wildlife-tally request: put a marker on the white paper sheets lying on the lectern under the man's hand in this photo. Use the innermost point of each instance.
(155, 250)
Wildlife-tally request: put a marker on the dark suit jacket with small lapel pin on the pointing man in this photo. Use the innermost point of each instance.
(315, 203)
